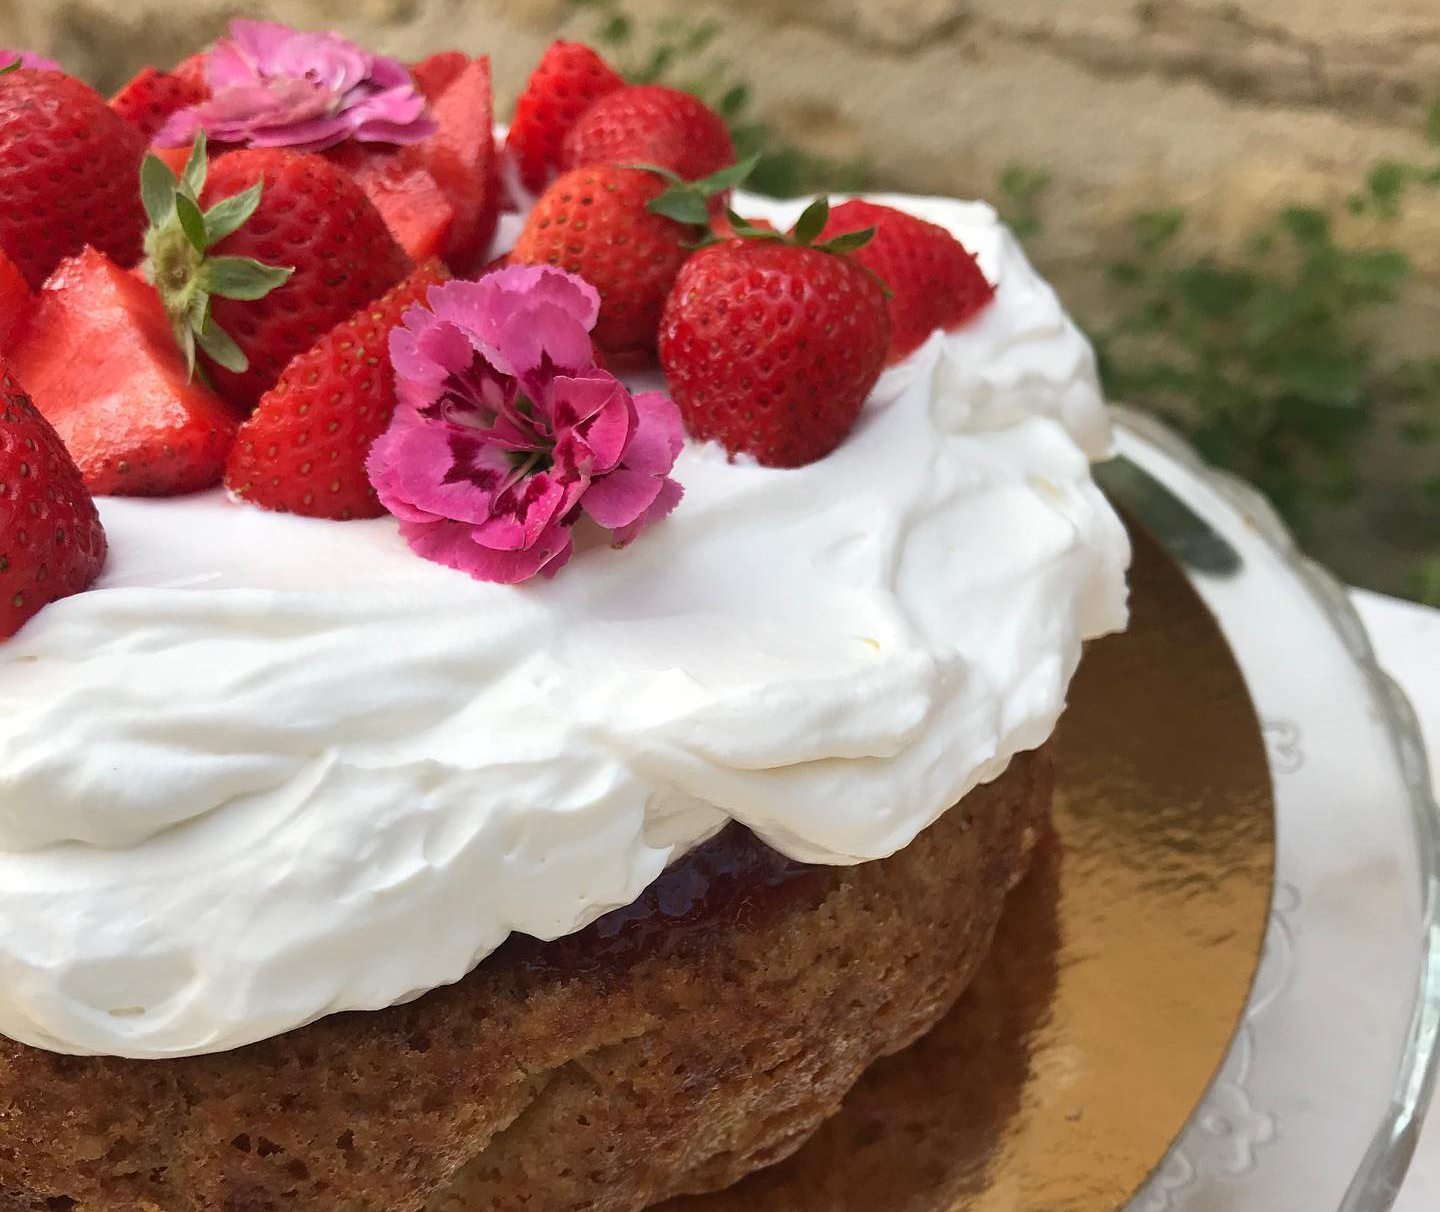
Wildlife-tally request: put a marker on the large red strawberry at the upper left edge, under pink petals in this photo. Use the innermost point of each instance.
(68, 171)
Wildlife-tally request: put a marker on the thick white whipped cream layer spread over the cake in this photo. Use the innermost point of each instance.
(273, 768)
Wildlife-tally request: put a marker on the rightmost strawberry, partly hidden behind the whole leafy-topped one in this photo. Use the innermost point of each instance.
(934, 280)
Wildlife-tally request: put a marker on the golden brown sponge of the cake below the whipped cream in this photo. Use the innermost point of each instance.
(606, 1072)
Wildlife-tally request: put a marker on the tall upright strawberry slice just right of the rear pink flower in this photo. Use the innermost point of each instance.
(462, 159)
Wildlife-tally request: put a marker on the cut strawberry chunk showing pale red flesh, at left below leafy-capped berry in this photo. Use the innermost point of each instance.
(103, 368)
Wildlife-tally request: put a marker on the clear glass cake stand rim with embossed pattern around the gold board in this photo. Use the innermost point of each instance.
(1320, 1100)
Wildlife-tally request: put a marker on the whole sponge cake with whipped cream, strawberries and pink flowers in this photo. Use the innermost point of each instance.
(348, 869)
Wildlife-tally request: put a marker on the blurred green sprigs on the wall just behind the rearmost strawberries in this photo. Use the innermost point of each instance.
(679, 53)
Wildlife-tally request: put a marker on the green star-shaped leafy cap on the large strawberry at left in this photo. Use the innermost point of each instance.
(179, 263)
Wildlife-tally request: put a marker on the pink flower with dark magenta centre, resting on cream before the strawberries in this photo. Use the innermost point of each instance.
(499, 446)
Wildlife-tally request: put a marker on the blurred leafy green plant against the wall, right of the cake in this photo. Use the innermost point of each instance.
(1265, 361)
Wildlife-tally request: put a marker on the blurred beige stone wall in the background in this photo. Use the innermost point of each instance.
(1229, 109)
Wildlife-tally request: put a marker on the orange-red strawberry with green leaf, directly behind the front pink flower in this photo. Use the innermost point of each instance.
(627, 232)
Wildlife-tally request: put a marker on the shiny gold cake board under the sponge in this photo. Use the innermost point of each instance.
(1120, 971)
